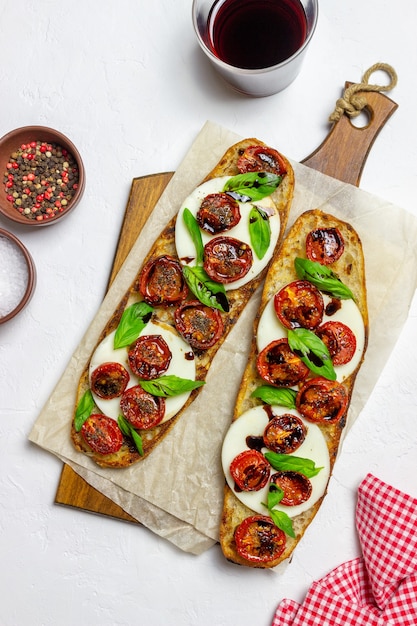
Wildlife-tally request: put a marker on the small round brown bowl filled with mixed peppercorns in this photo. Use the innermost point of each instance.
(11, 144)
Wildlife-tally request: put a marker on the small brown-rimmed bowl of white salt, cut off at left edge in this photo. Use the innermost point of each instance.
(17, 276)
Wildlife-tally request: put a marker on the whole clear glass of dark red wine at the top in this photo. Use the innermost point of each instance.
(257, 46)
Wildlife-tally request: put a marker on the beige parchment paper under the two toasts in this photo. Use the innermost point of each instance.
(177, 492)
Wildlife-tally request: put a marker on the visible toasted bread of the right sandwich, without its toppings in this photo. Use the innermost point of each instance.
(350, 268)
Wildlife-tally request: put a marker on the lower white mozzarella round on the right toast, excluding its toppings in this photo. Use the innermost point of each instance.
(253, 423)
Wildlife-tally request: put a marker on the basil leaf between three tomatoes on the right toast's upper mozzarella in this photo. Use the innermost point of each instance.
(312, 351)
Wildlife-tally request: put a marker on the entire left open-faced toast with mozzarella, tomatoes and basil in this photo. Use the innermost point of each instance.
(154, 353)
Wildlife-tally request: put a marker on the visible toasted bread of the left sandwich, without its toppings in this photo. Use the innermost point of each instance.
(238, 298)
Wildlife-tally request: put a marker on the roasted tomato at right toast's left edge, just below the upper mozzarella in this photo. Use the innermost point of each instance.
(280, 366)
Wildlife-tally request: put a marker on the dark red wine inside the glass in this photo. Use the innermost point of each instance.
(253, 34)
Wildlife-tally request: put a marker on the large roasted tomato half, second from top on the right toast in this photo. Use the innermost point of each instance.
(299, 305)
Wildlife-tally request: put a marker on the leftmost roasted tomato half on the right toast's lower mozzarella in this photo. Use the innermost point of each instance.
(250, 470)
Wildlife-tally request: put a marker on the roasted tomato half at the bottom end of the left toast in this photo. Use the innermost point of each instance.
(102, 434)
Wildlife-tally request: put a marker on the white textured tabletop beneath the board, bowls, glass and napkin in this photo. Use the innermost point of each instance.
(127, 83)
